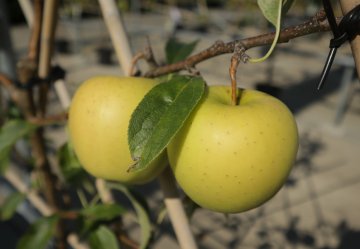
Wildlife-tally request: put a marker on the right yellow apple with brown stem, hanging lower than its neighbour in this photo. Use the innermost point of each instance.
(230, 158)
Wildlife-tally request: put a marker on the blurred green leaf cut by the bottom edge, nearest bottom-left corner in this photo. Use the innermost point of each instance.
(39, 233)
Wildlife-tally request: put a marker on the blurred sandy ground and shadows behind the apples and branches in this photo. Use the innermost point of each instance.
(319, 205)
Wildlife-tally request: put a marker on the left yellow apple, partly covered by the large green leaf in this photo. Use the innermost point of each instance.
(98, 122)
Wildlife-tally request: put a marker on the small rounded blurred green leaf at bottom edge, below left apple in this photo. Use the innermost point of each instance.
(102, 238)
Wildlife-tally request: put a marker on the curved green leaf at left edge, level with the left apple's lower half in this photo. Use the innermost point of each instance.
(10, 132)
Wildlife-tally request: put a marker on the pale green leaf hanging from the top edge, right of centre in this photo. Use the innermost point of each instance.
(269, 8)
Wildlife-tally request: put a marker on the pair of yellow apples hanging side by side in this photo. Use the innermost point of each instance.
(226, 158)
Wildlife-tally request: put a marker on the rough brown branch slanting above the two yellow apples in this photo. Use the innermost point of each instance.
(318, 23)
